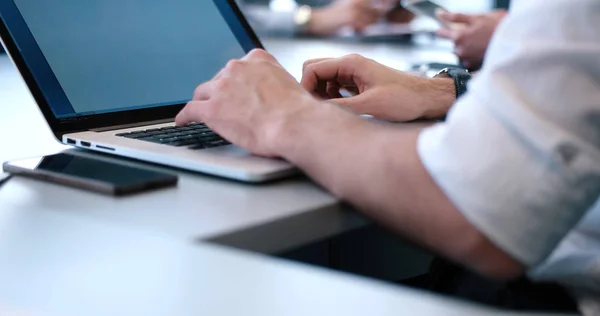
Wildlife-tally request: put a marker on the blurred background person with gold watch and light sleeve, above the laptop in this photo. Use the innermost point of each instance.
(320, 17)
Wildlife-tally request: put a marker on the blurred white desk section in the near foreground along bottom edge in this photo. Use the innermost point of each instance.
(56, 264)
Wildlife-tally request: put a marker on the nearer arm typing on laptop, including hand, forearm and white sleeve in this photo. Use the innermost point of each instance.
(496, 187)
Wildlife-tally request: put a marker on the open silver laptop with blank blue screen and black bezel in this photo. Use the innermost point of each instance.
(111, 75)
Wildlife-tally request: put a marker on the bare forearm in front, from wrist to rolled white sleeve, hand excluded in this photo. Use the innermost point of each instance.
(376, 168)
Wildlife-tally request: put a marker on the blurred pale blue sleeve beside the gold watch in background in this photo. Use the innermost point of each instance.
(267, 22)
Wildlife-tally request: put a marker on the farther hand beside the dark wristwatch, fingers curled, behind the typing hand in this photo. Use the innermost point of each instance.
(378, 90)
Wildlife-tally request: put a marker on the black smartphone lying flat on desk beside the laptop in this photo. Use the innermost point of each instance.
(89, 173)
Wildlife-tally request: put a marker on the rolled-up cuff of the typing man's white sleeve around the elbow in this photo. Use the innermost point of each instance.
(523, 202)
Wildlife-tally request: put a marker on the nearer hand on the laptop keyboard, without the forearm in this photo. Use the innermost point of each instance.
(249, 102)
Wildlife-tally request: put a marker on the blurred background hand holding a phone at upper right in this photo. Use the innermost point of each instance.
(472, 36)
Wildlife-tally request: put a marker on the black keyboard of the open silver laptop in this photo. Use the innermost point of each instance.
(195, 136)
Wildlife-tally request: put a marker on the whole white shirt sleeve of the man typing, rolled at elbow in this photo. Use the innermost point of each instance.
(519, 154)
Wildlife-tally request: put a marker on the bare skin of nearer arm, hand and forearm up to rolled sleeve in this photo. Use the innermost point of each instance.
(256, 104)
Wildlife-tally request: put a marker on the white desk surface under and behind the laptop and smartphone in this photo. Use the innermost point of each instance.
(267, 218)
